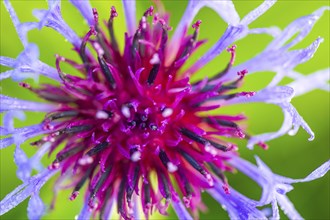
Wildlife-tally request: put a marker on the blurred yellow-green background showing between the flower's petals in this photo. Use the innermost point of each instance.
(290, 156)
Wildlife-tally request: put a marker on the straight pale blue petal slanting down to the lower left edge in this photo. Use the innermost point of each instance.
(23, 191)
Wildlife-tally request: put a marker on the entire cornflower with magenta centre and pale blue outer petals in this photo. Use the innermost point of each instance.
(132, 132)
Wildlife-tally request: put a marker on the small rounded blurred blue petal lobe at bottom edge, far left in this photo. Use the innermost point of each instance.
(36, 208)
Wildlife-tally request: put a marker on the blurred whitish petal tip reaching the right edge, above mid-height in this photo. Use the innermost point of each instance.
(305, 84)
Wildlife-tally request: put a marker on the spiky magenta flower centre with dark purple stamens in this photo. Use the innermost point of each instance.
(129, 118)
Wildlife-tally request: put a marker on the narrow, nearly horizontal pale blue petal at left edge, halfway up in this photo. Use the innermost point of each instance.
(8, 103)
